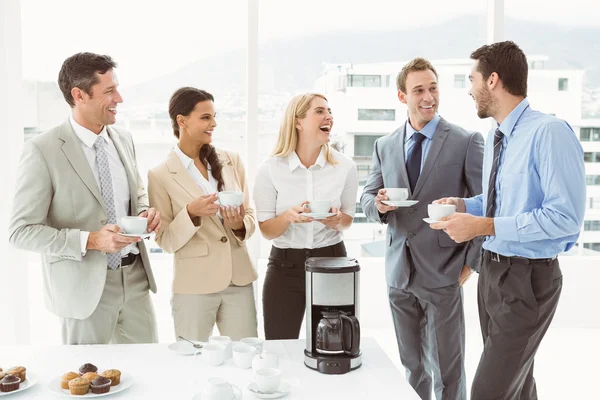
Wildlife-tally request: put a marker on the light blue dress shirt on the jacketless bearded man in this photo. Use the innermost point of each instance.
(540, 186)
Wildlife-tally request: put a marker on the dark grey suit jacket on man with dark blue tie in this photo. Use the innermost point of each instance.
(452, 169)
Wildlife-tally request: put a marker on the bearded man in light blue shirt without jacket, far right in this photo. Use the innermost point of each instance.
(531, 210)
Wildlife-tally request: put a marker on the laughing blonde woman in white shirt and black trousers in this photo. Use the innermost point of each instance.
(302, 168)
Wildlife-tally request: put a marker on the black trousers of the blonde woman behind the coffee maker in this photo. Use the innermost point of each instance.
(284, 290)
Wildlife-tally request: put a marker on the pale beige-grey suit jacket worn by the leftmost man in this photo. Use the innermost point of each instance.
(56, 197)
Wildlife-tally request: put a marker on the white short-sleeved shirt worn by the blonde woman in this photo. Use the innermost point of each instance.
(283, 182)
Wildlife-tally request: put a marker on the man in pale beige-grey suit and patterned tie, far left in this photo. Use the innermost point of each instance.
(74, 182)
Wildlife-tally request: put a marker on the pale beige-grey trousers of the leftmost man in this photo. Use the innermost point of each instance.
(125, 313)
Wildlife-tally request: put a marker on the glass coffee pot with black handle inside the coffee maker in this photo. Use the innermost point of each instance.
(338, 333)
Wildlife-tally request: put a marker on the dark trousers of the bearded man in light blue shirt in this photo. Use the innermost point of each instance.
(516, 305)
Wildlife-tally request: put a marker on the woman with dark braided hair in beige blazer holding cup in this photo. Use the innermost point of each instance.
(213, 273)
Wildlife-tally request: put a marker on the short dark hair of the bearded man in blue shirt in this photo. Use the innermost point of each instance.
(508, 61)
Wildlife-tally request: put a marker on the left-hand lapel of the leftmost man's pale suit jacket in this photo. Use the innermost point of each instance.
(74, 153)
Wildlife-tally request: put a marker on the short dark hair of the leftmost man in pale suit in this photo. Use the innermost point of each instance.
(80, 71)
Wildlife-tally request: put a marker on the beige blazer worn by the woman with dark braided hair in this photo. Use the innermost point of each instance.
(208, 257)
